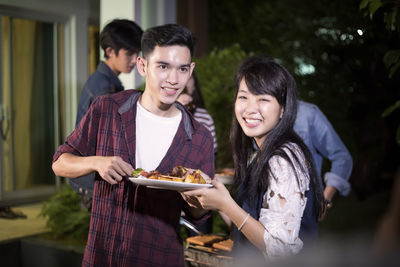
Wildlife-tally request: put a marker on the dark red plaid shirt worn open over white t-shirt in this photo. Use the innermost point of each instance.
(134, 225)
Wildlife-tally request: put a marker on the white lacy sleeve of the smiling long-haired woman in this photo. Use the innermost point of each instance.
(282, 210)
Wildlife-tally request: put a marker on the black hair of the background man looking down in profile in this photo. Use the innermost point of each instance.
(121, 34)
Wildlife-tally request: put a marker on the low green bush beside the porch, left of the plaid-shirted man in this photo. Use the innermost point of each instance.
(65, 216)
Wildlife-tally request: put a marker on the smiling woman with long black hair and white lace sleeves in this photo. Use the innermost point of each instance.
(278, 198)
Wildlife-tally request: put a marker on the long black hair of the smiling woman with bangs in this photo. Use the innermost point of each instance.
(265, 76)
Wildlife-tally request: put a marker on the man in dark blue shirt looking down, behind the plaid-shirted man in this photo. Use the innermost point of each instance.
(120, 40)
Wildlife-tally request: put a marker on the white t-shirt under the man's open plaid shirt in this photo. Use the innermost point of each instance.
(154, 135)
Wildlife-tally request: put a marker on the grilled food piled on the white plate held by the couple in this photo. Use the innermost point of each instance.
(178, 174)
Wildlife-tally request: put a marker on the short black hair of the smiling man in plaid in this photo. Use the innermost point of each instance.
(167, 35)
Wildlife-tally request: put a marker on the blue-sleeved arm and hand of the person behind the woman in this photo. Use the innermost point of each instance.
(329, 145)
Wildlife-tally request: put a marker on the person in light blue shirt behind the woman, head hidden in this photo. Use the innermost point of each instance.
(323, 142)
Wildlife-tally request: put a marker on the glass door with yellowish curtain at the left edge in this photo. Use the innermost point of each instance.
(30, 98)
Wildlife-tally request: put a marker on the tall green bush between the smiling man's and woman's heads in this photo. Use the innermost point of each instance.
(216, 73)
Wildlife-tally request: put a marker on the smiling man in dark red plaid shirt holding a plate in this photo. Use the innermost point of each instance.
(134, 225)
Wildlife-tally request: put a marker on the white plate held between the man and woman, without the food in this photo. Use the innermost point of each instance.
(170, 185)
